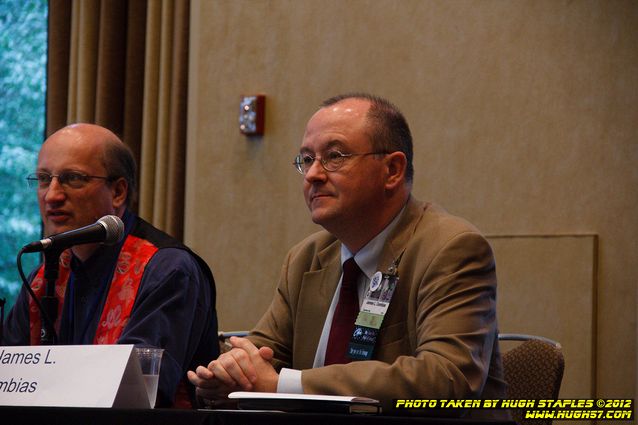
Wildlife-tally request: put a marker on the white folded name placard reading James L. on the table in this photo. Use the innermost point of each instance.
(72, 376)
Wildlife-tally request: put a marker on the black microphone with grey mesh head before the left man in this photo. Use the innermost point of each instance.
(108, 230)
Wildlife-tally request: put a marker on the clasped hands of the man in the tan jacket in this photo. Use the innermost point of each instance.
(244, 368)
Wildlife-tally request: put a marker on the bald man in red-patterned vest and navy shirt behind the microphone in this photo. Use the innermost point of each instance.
(149, 290)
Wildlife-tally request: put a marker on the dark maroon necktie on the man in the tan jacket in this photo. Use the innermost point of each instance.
(344, 315)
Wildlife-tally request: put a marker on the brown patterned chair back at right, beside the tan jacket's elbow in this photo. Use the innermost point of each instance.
(533, 371)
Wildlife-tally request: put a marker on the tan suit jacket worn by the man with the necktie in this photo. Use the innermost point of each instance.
(439, 337)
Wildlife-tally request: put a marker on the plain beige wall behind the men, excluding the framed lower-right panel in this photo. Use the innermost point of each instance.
(524, 116)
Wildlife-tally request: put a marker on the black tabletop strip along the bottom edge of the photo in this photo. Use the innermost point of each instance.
(20, 415)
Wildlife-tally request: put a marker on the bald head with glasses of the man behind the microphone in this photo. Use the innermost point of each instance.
(93, 175)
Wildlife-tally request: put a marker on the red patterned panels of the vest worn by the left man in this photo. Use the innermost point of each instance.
(131, 262)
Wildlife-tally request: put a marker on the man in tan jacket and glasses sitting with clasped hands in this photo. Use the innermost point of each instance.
(438, 338)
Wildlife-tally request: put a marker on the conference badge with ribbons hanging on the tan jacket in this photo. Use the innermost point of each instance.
(375, 306)
